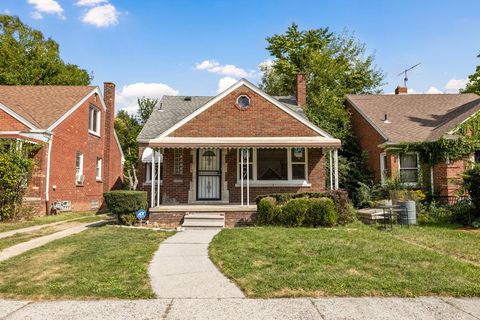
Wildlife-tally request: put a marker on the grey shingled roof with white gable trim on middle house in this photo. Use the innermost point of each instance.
(174, 111)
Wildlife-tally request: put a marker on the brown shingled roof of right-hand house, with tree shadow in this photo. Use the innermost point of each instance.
(415, 117)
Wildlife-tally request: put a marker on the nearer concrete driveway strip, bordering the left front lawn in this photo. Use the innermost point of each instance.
(40, 241)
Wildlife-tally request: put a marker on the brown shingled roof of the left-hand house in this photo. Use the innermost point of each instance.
(41, 106)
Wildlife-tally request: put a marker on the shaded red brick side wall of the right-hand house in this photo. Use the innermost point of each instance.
(369, 140)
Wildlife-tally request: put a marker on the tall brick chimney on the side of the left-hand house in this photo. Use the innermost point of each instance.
(109, 98)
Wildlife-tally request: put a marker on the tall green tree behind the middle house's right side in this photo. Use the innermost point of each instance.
(335, 65)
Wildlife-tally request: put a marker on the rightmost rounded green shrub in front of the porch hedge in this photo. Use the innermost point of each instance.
(322, 212)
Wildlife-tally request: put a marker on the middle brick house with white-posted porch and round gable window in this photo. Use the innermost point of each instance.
(206, 147)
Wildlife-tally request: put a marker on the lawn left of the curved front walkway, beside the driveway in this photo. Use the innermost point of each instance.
(102, 262)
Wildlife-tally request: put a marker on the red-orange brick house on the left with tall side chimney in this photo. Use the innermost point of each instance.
(80, 157)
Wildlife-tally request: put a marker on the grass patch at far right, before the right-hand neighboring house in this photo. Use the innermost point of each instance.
(448, 240)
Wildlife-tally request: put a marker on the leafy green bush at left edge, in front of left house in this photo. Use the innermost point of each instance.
(15, 172)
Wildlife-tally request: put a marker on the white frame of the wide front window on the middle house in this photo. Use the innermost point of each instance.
(289, 182)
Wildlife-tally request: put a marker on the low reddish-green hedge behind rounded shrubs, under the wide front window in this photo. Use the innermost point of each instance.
(342, 204)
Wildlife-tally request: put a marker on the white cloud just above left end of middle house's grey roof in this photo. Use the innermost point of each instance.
(127, 98)
